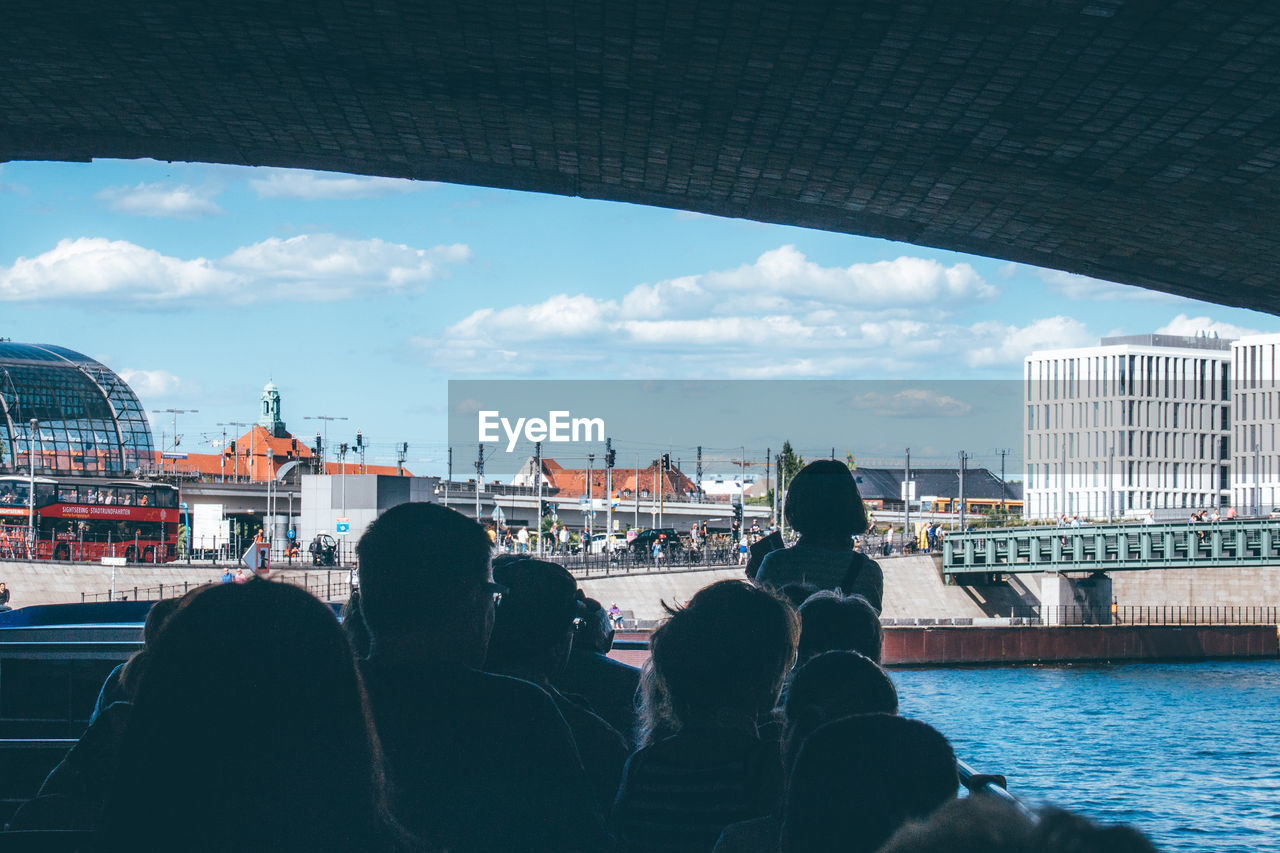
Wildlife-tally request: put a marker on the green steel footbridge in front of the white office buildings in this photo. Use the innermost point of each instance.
(1113, 548)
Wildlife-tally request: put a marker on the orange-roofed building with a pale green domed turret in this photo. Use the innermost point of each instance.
(263, 451)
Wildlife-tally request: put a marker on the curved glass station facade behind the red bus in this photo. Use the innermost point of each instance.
(89, 419)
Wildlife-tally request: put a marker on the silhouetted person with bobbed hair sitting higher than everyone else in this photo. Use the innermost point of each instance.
(825, 508)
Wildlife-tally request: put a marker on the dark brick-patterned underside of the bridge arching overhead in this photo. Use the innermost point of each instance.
(1130, 142)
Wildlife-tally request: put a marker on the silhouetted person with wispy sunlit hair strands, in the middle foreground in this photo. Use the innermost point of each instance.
(716, 667)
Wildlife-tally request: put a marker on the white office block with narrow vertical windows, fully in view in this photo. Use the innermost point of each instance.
(1137, 425)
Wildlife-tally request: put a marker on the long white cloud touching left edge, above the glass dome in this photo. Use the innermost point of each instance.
(313, 266)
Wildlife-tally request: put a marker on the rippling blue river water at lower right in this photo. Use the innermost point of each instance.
(1187, 752)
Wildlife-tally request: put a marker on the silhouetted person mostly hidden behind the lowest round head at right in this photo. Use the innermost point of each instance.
(830, 687)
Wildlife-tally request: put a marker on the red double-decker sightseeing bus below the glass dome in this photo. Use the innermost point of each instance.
(89, 519)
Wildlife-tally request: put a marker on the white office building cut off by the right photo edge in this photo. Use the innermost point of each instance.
(1256, 459)
